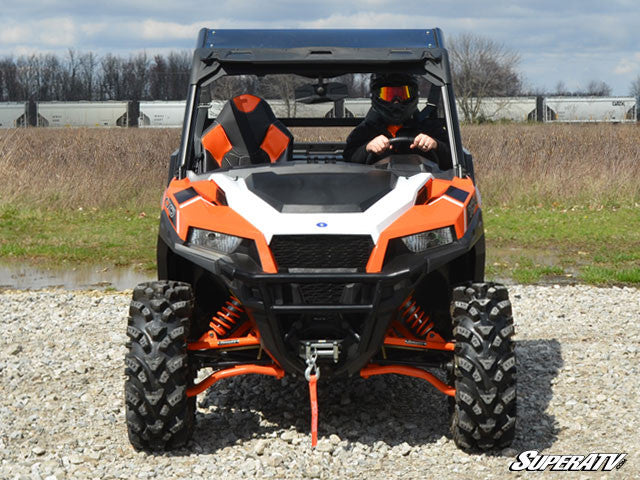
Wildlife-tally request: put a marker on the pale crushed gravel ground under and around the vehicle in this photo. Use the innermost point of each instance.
(62, 411)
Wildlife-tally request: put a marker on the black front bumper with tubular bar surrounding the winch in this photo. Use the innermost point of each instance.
(373, 297)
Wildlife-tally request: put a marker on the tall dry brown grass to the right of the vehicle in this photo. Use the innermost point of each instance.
(591, 165)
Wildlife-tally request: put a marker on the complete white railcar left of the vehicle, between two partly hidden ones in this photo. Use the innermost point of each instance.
(83, 114)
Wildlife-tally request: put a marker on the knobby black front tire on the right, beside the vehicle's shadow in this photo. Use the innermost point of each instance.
(484, 413)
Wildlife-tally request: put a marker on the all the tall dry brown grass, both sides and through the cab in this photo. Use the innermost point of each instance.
(516, 164)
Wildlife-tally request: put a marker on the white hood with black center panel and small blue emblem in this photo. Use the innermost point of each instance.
(322, 199)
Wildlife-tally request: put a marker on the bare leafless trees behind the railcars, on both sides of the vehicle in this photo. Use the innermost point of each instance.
(481, 68)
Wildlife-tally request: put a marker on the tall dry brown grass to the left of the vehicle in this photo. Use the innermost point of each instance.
(74, 168)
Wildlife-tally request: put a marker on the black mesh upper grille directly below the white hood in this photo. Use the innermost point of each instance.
(321, 251)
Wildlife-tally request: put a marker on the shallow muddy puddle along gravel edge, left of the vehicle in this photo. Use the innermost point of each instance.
(24, 276)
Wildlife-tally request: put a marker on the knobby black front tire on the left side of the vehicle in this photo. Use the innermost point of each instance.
(159, 413)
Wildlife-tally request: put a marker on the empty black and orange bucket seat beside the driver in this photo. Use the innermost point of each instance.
(246, 132)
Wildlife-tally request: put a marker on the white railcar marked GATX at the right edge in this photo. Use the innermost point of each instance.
(589, 109)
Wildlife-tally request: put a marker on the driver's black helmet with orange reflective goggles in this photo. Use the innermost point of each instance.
(395, 105)
